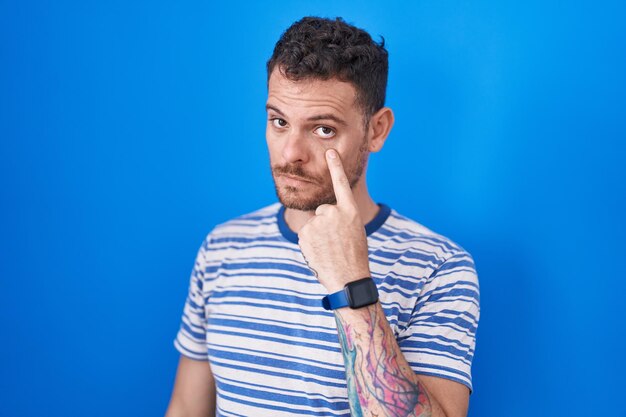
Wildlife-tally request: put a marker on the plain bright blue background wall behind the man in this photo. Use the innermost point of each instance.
(129, 129)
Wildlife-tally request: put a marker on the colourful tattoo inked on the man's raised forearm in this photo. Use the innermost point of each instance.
(379, 378)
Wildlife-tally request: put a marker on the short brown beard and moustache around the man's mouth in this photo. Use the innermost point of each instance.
(321, 186)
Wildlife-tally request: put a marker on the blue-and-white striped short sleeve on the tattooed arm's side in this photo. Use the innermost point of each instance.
(441, 336)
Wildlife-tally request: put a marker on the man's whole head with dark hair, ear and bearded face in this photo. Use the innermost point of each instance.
(326, 89)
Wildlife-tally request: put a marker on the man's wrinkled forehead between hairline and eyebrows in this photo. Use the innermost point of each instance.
(308, 95)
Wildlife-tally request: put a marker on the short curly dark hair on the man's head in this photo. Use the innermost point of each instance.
(321, 48)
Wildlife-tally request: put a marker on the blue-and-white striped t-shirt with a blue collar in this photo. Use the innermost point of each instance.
(254, 312)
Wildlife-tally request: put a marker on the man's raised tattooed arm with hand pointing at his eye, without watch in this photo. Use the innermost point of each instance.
(380, 380)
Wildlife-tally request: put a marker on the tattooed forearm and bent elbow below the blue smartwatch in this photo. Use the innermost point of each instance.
(380, 380)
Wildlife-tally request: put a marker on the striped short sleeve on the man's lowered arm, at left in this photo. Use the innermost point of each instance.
(191, 338)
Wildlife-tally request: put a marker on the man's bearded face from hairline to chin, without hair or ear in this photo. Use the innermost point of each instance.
(304, 118)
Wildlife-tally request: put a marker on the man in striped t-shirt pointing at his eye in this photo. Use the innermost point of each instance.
(327, 303)
